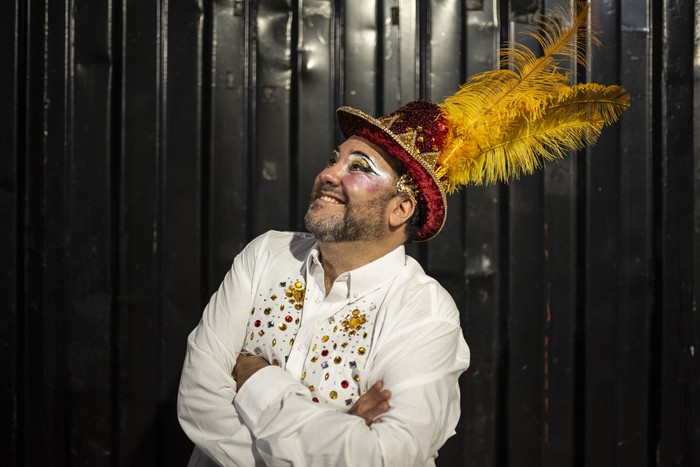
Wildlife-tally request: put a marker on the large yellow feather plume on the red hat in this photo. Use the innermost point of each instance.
(505, 122)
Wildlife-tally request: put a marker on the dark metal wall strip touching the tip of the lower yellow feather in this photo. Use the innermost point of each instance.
(636, 303)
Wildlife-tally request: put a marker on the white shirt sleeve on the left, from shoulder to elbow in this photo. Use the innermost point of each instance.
(205, 397)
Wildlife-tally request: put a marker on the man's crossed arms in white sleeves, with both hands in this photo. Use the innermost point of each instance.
(269, 416)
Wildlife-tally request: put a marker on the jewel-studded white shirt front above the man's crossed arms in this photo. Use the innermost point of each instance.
(328, 352)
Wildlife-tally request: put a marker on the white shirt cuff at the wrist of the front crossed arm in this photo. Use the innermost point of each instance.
(260, 390)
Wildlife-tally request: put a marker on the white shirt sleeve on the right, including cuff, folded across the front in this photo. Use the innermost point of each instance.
(420, 366)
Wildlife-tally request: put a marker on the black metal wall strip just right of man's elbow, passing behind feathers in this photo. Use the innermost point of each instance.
(483, 320)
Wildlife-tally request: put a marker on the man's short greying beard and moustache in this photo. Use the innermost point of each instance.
(359, 222)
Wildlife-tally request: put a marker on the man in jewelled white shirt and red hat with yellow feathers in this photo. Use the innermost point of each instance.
(342, 350)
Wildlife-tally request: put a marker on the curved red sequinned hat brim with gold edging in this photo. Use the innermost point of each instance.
(432, 201)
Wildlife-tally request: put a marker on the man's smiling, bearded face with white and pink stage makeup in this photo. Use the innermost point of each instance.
(350, 196)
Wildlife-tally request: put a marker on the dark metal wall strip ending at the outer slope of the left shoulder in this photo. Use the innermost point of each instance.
(226, 140)
